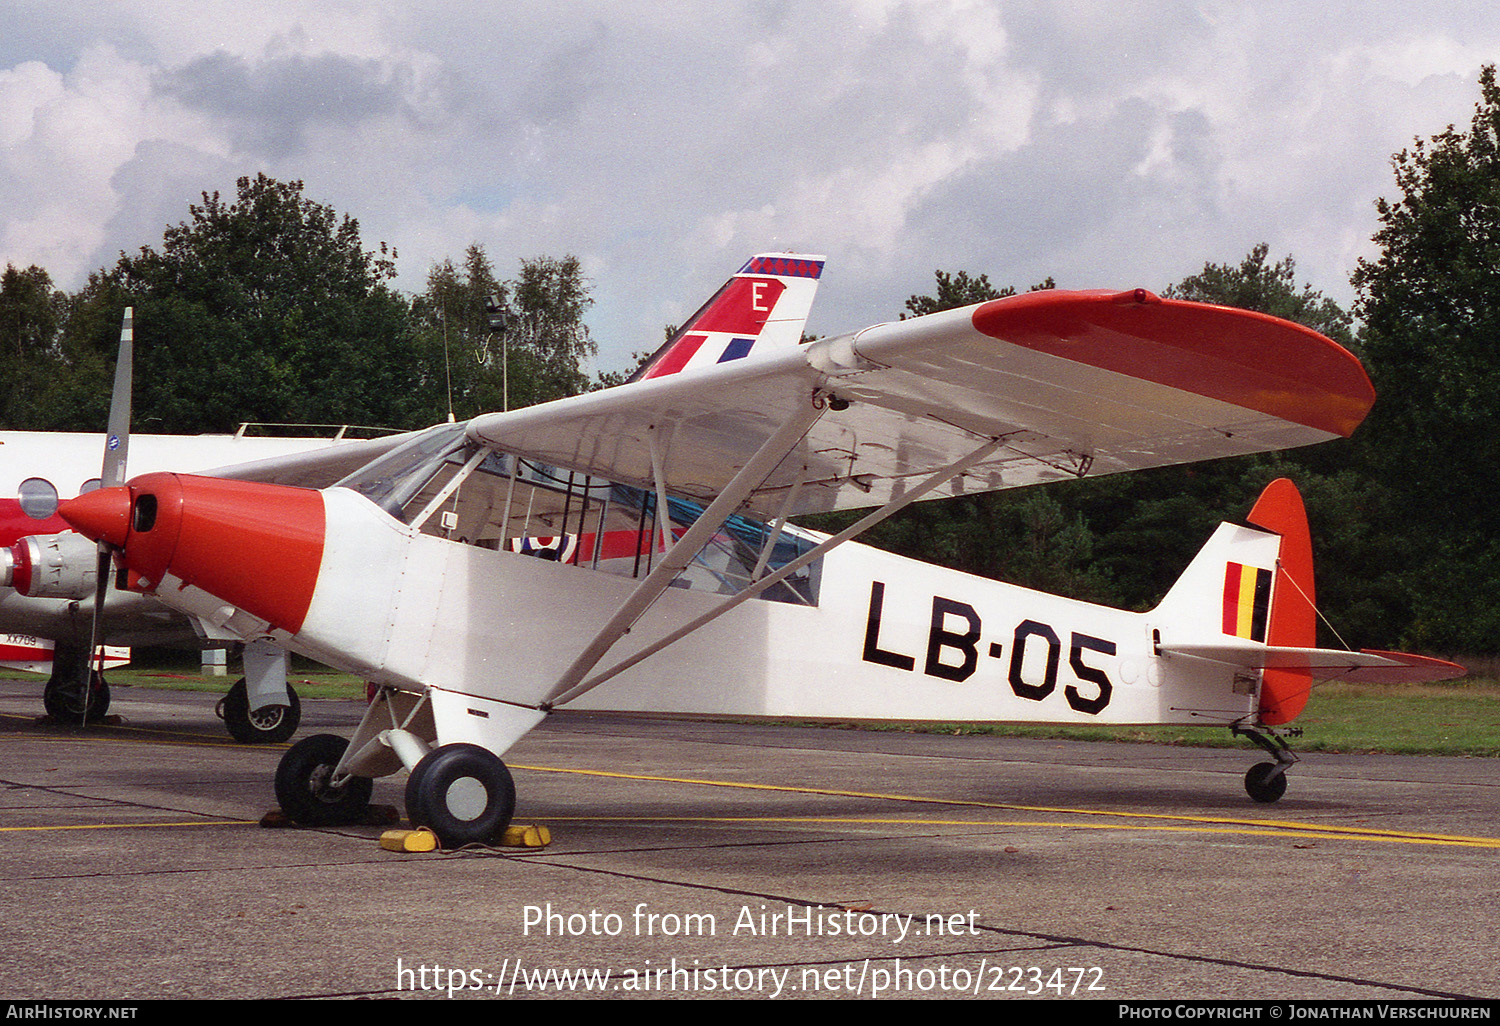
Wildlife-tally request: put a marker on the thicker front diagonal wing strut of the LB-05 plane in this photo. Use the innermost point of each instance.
(676, 560)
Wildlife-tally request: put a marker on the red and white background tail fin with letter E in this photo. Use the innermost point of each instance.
(764, 305)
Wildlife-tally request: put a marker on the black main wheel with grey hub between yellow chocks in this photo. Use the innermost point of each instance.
(463, 793)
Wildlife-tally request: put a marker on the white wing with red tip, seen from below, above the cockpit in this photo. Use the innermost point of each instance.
(1075, 383)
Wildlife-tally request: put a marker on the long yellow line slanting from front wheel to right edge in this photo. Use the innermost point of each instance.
(1255, 826)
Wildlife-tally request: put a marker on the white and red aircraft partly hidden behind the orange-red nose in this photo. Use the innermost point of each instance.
(49, 574)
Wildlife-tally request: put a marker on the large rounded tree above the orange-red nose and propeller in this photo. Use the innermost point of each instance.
(271, 301)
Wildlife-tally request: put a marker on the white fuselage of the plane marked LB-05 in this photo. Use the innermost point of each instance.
(889, 638)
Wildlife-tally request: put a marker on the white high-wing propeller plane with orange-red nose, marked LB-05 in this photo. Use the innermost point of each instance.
(673, 574)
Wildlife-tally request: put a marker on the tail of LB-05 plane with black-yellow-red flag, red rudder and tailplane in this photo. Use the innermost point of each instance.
(1247, 601)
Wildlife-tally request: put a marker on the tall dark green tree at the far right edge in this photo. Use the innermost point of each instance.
(1432, 313)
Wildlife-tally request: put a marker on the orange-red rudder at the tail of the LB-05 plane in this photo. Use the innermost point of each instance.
(1294, 616)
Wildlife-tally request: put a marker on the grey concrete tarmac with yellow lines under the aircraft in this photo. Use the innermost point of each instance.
(709, 860)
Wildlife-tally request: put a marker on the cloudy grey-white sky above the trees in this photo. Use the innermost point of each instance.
(1109, 145)
